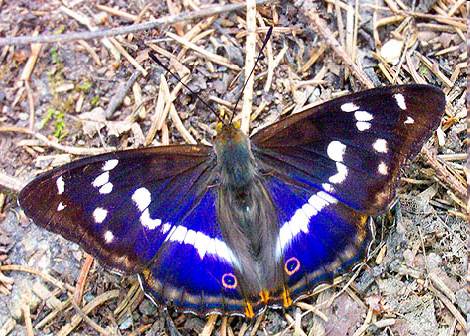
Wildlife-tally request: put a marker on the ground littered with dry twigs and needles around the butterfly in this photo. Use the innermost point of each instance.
(414, 282)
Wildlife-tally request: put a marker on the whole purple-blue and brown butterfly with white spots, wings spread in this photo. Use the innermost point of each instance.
(249, 222)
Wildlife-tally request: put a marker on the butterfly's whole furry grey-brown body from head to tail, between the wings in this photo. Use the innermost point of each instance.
(246, 214)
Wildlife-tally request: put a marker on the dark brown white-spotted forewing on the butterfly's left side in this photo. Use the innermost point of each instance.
(119, 206)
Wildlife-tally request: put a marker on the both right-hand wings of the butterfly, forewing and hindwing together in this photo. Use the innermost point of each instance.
(330, 167)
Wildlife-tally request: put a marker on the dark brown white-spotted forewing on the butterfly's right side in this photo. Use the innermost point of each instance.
(353, 147)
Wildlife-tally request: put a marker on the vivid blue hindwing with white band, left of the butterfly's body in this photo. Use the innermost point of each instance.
(193, 268)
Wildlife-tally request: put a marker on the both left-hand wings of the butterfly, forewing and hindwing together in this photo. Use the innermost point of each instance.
(148, 211)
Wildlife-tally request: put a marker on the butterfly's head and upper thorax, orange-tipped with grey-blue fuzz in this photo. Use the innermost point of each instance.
(234, 157)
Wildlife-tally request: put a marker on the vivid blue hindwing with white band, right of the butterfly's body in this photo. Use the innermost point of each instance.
(319, 236)
